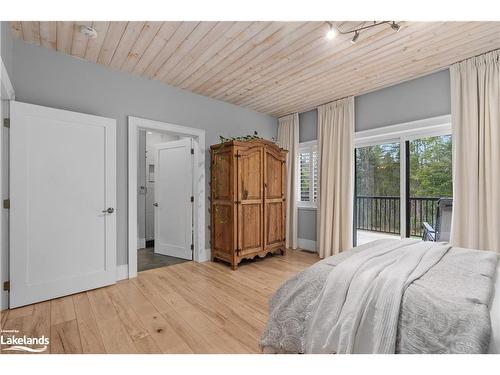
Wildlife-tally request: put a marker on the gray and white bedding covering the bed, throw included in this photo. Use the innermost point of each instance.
(457, 324)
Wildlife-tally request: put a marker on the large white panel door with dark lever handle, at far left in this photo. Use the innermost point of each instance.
(63, 199)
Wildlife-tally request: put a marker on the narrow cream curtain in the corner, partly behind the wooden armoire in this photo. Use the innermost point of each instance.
(288, 138)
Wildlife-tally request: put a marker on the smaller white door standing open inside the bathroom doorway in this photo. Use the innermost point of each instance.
(173, 192)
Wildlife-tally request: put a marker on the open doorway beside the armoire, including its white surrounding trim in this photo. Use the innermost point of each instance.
(166, 195)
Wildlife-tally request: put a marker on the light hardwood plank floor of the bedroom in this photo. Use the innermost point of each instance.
(184, 308)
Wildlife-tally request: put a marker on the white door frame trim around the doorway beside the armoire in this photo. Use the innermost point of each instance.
(134, 125)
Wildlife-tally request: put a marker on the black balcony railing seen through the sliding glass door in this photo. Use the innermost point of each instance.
(382, 214)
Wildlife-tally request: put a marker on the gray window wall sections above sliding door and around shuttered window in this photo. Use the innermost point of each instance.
(424, 97)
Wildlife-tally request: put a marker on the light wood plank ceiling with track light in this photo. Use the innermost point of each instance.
(272, 67)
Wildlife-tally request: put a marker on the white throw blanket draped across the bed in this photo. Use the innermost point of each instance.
(359, 307)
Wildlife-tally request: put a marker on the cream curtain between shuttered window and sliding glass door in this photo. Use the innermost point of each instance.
(335, 150)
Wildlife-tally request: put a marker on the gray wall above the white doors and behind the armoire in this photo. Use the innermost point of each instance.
(44, 77)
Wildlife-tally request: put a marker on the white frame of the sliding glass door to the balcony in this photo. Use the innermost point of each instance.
(400, 133)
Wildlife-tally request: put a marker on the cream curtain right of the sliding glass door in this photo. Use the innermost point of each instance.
(475, 103)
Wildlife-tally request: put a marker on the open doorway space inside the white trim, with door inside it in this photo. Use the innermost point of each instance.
(164, 199)
